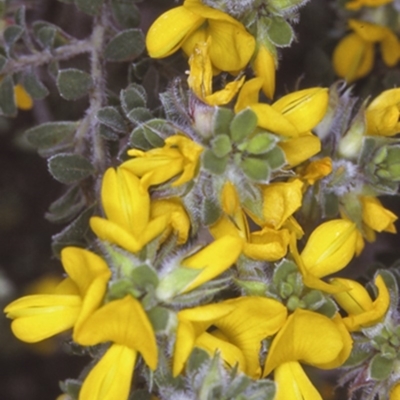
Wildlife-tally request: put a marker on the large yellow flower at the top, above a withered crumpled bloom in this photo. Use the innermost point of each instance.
(185, 26)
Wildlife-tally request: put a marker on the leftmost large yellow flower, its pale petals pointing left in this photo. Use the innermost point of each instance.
(39, 317)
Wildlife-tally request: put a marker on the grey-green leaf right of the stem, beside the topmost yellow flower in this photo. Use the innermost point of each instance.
(125, 46)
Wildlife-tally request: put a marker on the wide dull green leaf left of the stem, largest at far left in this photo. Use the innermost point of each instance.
(52, 137)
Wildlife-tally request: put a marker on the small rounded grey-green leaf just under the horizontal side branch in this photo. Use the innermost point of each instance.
(73, 83)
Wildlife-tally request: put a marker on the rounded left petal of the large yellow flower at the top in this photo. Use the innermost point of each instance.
(170, 30)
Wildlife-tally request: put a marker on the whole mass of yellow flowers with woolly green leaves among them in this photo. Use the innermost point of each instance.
(219, 231)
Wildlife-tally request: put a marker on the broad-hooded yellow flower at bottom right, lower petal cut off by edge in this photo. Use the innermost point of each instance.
(299, 341)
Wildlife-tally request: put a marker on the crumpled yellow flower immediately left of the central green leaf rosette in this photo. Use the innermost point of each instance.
(179, 156)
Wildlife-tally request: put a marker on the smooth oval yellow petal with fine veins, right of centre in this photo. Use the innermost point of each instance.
(330, 247)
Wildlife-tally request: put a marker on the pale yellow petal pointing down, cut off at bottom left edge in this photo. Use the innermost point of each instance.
(111, 377)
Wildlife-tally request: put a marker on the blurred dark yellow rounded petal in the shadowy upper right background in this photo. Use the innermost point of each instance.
(353, 58)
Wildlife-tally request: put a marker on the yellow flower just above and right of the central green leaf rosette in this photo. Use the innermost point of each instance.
(292, 115)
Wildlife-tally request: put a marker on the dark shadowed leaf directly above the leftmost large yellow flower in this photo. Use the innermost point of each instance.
(74, 234)
